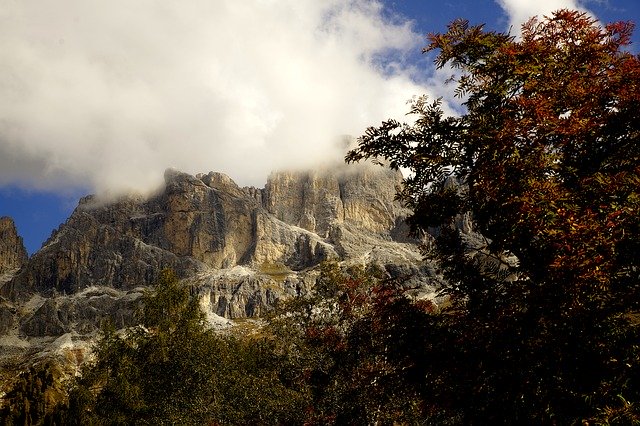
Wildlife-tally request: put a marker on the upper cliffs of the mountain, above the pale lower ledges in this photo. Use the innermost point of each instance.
(208, 222)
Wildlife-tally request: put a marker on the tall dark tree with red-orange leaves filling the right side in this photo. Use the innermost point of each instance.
(546, 157)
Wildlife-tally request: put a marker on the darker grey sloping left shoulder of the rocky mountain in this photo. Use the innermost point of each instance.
(97, 246)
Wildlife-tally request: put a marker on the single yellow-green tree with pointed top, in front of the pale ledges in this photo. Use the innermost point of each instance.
(157, 372)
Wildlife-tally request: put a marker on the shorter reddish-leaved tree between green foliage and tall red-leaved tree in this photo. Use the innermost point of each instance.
(357, 346)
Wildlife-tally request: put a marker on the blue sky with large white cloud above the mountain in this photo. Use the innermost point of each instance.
(102, 97)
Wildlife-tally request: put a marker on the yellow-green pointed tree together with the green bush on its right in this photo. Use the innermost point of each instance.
(173, 370)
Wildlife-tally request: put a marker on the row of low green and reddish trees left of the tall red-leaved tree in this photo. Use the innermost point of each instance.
(350, 353)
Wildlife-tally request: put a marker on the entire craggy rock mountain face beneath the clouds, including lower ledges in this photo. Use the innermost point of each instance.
(240, 248)
